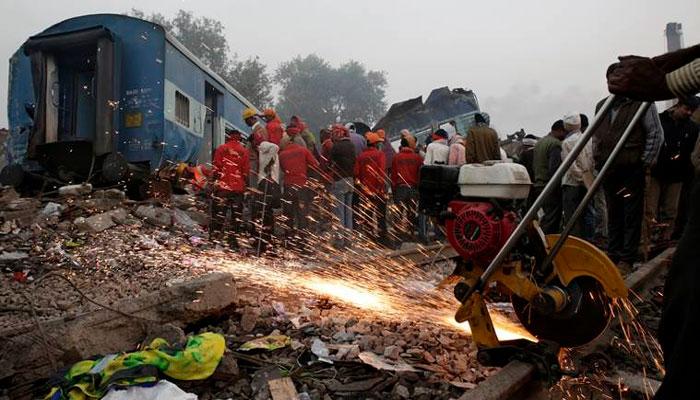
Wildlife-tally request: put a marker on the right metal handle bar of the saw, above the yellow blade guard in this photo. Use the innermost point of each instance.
(596, 183)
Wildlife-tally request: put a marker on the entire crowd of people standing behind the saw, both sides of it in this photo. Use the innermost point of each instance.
(349, 184)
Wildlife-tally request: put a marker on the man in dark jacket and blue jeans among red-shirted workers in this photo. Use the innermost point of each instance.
(342, 171)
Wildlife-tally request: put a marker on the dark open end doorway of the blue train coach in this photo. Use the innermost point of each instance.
(75, 79)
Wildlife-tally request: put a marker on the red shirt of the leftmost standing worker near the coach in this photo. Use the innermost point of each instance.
(231, 166)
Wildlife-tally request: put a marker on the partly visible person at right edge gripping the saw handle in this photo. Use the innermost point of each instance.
(663, 77)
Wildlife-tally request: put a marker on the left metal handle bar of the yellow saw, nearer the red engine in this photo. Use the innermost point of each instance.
(548, 189)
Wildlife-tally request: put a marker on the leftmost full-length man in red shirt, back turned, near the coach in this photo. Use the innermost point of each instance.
(230, 172)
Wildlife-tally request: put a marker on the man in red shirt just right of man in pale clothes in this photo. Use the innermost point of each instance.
(296, 161)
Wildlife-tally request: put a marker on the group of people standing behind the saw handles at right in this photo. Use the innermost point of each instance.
(642, 191)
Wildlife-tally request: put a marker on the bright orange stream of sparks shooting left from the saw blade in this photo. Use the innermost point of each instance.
(382, 287)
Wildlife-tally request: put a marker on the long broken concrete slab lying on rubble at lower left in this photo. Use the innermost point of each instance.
(38, 350)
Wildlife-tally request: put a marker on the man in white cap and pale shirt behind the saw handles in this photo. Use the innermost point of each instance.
(577, 178)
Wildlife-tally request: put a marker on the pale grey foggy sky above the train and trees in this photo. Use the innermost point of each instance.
(529, 62)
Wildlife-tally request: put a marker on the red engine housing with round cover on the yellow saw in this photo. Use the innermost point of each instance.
(478, 230)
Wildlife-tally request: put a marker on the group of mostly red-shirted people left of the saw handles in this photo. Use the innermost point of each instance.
(345, 187)
